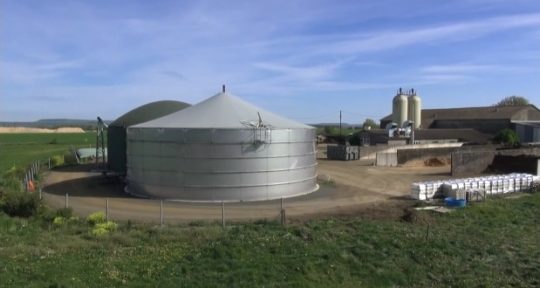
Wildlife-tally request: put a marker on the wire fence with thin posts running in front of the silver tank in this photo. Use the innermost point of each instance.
(167, 212)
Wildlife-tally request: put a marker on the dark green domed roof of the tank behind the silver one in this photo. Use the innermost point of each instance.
(148, 112)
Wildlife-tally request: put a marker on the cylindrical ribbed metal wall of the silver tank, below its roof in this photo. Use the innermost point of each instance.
(221, 164)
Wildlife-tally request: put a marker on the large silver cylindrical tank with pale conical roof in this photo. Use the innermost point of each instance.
(221, 150)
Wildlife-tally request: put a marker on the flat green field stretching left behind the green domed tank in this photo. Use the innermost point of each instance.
(20, 150)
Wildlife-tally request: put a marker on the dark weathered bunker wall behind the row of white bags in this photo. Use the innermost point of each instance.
(466, 163)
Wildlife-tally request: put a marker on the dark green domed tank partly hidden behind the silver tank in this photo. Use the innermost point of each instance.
(116, 132)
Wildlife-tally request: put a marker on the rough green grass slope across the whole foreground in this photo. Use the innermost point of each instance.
(493, 244)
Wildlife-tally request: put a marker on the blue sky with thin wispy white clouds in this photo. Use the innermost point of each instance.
(303, 59)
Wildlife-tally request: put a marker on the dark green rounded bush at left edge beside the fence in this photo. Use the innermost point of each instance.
(20, 204)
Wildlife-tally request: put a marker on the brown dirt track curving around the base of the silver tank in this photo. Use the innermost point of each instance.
(356, 186)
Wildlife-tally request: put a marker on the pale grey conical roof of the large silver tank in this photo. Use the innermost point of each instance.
(223, 110)
